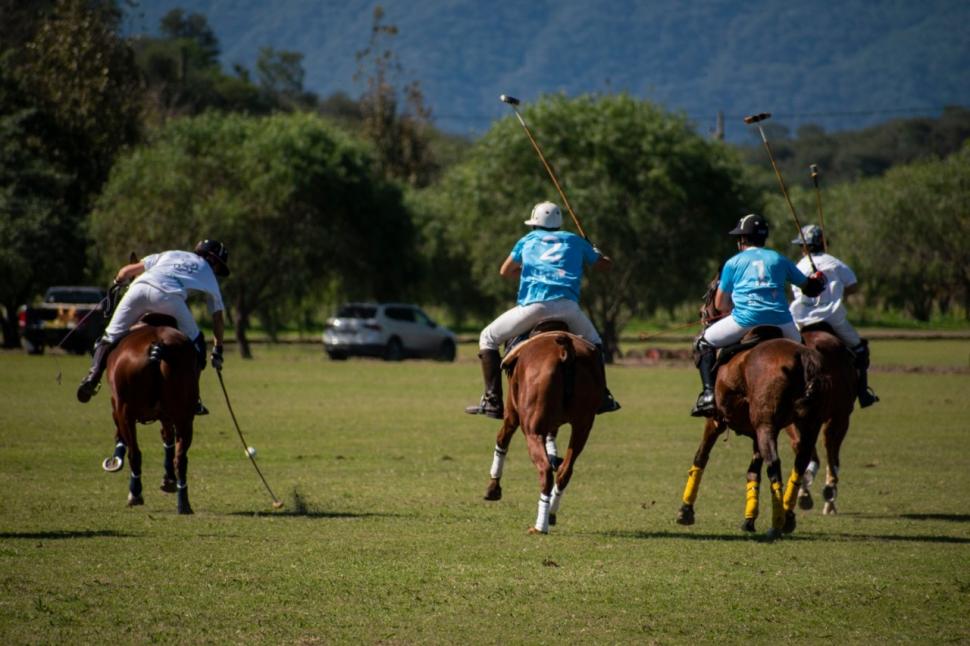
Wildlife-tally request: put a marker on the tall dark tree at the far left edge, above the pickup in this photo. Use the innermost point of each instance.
(69, 101)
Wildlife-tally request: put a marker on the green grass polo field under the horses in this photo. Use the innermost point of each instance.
(385, 537)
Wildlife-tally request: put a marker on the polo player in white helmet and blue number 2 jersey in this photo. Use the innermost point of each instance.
(549, 263)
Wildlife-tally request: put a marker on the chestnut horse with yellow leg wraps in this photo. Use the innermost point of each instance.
(760, 390)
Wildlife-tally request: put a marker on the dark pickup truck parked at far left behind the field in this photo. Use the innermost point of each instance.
(62, 310)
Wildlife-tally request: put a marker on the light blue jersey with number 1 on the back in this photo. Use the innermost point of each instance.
(756, 280)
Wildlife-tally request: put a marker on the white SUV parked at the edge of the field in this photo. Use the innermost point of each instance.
(392, 331)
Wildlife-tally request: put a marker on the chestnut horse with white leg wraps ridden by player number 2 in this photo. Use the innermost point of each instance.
(554, 378)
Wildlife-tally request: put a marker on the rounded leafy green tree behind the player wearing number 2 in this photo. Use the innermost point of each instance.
(650, 192)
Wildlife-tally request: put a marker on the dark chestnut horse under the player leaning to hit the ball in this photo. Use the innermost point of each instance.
(153, 375)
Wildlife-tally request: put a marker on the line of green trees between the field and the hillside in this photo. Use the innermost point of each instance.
(145, 144)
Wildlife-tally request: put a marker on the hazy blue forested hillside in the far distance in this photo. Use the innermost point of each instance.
(844, 64)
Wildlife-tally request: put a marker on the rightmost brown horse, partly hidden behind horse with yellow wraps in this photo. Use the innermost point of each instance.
(838, 364)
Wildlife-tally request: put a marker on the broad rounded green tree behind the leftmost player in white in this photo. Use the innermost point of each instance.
(296, 201)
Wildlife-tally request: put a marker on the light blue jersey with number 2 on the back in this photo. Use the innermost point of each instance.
(552, 265)
